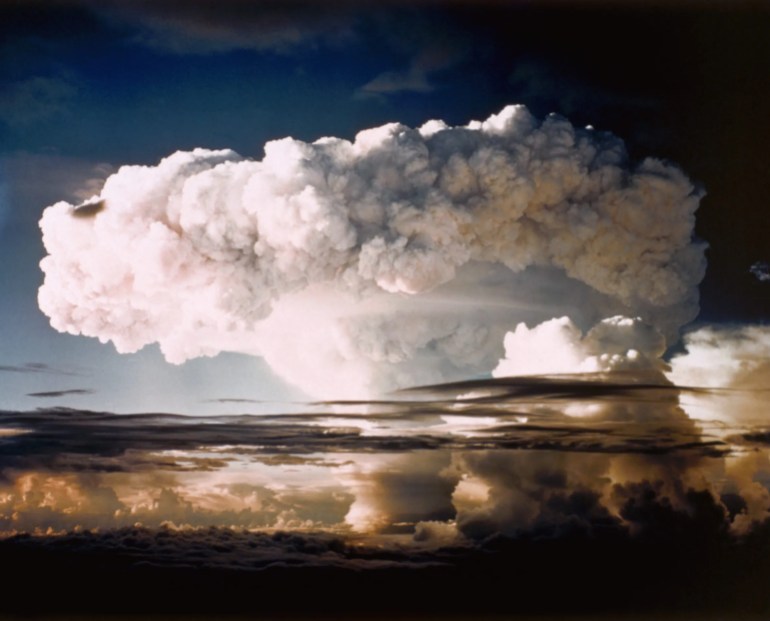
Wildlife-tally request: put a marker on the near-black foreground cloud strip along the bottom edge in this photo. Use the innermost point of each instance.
(171, 571)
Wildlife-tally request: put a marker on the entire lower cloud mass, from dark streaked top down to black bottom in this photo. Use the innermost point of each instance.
(586, 493)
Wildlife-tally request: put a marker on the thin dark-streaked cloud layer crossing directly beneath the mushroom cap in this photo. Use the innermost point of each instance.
(536, 414)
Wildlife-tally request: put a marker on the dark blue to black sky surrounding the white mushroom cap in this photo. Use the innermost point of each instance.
(88, 86)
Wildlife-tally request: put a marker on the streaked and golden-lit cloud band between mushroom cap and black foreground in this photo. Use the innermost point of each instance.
(458, 463)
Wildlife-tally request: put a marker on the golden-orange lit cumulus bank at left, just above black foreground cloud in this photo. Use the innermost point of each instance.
(158, 494)
